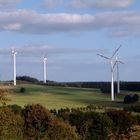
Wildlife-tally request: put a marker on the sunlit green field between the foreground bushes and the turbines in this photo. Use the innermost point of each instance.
(61, 97)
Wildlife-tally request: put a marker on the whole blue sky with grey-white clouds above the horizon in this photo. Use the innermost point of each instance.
(70, 33)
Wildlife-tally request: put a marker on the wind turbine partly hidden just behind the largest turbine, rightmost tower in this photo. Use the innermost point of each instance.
(118, 80)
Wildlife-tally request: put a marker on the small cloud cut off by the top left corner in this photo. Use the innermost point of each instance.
(8, 2)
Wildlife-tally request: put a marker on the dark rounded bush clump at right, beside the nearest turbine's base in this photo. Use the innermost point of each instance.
(131, 99)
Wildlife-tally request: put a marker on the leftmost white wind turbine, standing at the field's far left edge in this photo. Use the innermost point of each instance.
(14, 63)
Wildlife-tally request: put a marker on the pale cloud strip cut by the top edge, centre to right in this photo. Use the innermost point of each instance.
(88, 3)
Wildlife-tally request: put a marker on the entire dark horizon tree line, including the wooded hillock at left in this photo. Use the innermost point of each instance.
(103, 86)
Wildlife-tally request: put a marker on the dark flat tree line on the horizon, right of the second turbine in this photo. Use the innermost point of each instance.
(103, 86)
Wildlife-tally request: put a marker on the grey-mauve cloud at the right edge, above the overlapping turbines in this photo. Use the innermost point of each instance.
(120, 23)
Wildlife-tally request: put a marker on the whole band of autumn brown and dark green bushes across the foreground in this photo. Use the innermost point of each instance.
(35, 122)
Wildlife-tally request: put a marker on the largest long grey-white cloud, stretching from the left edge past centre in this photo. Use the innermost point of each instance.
(35, 23)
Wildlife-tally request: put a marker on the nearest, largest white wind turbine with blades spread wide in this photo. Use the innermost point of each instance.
(112, 64)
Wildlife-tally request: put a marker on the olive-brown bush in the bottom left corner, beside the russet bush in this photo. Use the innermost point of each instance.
(11, 125)
